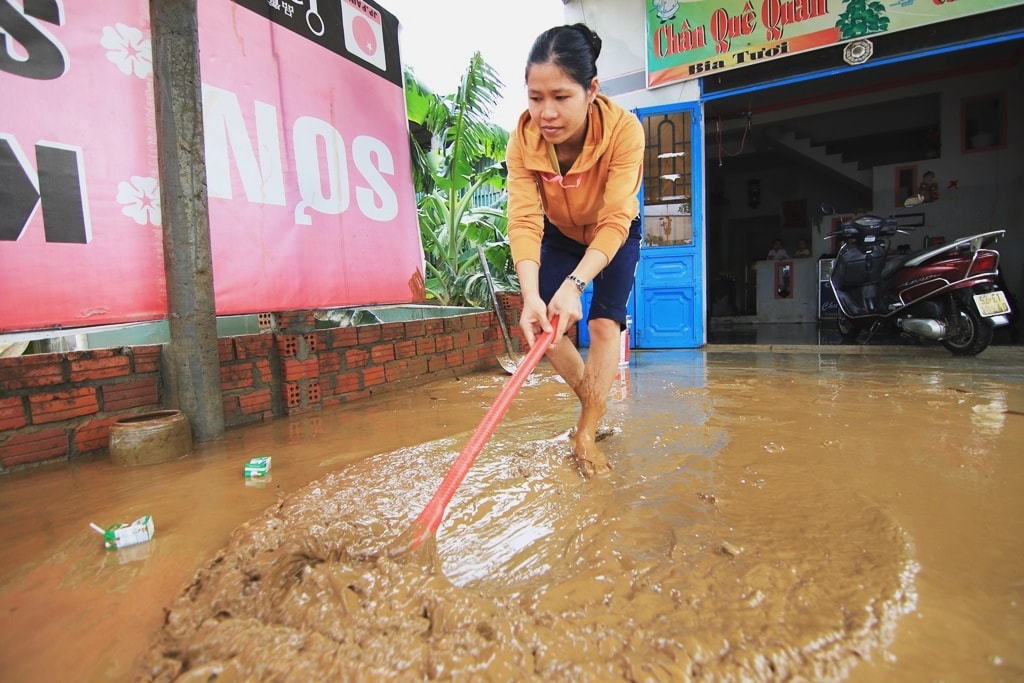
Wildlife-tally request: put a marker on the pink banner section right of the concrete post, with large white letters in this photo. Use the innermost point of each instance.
(312, 203)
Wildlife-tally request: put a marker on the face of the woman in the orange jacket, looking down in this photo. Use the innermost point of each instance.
(558, 104)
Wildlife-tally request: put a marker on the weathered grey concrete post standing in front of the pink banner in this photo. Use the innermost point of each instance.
(192, 362)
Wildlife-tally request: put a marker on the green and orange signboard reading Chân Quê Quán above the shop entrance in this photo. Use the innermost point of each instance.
(692, 39)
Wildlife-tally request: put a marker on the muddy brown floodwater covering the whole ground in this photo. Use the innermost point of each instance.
(771, 517)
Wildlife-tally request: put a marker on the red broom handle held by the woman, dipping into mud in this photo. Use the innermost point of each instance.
(431, 519)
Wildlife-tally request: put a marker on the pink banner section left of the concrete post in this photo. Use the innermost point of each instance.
(80, 237)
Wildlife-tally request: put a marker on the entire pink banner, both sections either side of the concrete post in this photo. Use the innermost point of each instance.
(309, 170)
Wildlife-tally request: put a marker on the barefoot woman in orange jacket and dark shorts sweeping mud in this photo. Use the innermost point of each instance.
(575, 168)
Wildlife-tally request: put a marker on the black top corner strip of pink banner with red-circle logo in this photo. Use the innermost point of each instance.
(357, 30)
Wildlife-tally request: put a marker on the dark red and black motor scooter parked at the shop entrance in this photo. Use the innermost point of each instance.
(948, 294)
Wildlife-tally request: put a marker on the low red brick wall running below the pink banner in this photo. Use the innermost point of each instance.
(55, 407)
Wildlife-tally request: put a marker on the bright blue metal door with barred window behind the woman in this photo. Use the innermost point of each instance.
(668, 296)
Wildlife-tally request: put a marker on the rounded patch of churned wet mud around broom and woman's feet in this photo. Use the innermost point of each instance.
(706, 556)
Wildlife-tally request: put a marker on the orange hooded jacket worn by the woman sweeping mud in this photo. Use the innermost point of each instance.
(595, 202)
